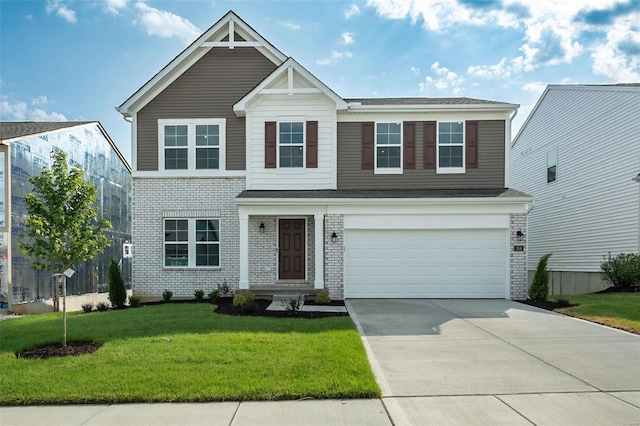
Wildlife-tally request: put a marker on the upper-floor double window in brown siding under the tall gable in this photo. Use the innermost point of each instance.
(191, 144)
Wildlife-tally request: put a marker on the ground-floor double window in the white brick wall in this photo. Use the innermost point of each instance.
(192, 242)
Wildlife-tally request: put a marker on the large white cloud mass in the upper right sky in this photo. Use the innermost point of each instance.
(552, 31)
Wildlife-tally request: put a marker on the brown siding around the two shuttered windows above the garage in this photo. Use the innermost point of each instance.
(489, 174)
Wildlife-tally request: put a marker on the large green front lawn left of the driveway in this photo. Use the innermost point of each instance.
(212, 357)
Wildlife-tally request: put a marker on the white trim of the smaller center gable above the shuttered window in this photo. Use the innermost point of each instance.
(290, 64)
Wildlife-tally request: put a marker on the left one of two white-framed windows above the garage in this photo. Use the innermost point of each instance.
(388, 149)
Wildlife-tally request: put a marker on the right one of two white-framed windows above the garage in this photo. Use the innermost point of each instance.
(450, 155)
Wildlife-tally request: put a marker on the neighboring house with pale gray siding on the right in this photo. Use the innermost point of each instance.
(578, 153)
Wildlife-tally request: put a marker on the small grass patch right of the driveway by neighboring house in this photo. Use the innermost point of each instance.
(620, 310)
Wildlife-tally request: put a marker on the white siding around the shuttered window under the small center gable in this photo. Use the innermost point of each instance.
(283, 108)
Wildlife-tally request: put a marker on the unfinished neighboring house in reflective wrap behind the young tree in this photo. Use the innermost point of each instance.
(25, 149)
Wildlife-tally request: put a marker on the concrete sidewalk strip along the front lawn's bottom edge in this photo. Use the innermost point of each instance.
(276, 413)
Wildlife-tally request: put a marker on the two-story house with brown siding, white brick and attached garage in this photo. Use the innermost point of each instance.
(250, 170)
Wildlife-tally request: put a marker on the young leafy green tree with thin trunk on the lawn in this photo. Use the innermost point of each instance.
(62, 227)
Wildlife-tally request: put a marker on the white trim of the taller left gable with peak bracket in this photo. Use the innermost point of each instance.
(220, 34)
